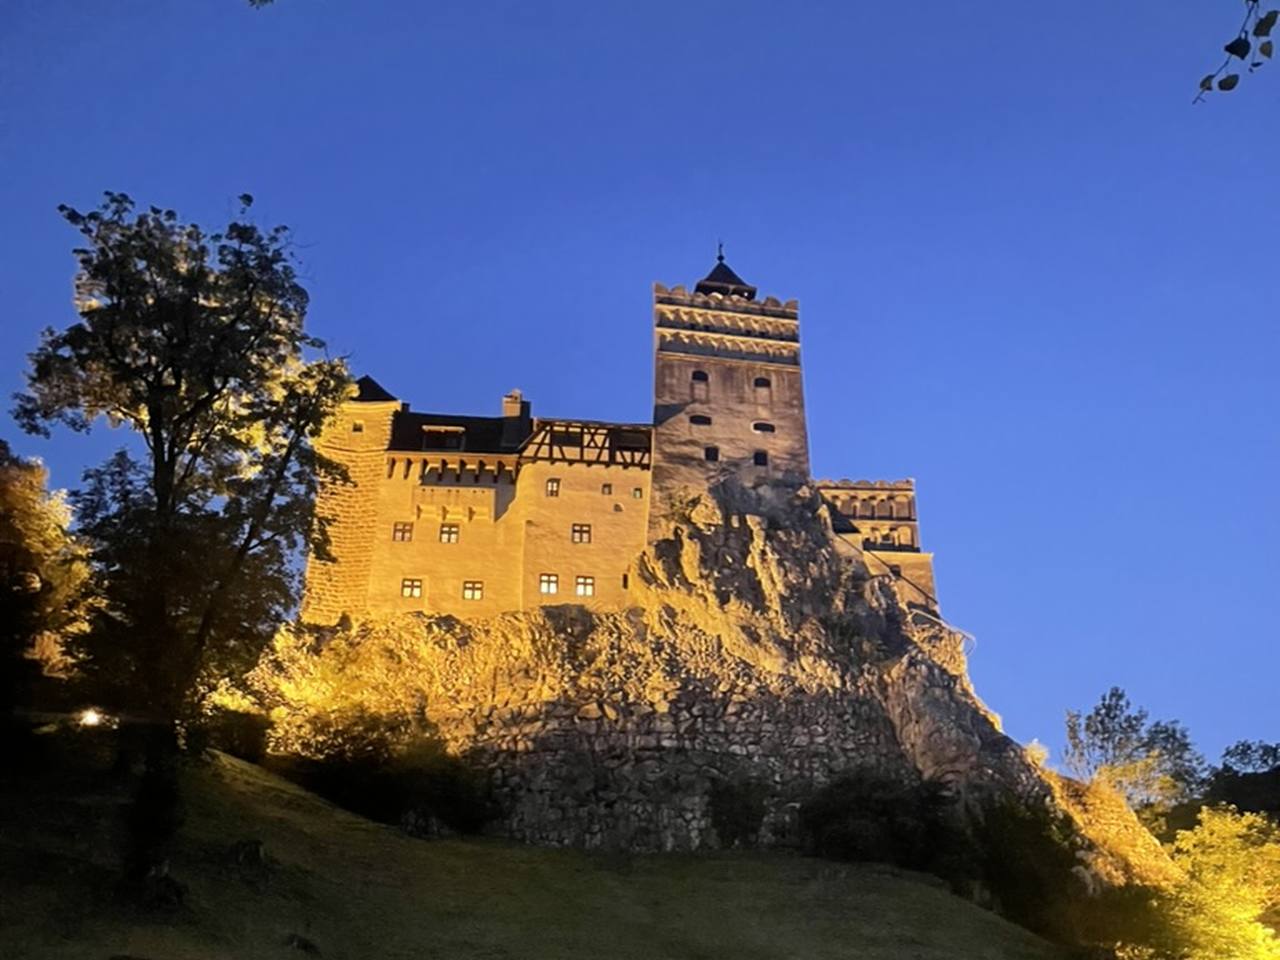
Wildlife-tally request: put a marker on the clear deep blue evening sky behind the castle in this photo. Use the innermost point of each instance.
(1031, 275)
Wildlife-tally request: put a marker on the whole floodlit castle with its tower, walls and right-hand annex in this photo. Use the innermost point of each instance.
(479, 515)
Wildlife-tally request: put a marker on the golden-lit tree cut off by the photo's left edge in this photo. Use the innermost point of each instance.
(44, 575)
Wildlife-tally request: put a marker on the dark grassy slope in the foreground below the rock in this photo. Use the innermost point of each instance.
(359, 890)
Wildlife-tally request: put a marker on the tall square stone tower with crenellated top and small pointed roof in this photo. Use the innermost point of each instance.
(728, 387)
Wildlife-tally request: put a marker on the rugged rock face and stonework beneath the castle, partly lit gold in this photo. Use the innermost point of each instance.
(758, 650)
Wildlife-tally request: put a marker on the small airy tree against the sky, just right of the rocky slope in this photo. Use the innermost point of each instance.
(1153, 764)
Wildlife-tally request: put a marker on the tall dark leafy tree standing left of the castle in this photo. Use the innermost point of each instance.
(195, 342)
